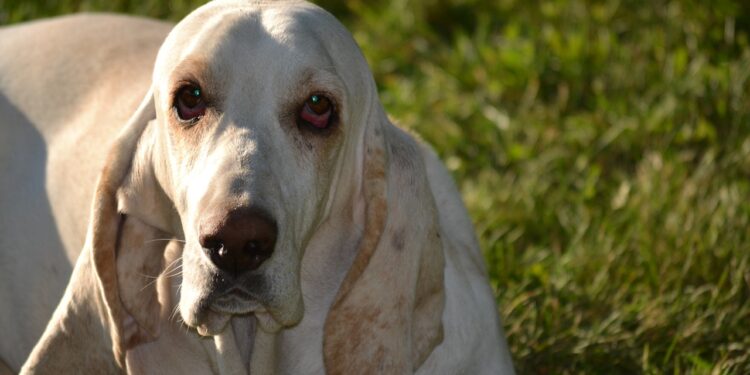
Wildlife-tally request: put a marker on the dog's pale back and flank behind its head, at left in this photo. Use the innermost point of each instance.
(66, 86)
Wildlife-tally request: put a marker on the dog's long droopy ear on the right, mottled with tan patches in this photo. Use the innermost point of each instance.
(387, 315)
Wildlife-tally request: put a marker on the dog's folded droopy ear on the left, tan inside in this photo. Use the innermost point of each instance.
(127, 257)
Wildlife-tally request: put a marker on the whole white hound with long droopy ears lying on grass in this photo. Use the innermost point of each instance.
(260, 175)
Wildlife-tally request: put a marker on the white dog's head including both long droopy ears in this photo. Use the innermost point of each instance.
(262, 122)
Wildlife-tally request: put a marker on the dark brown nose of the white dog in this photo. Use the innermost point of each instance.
(239, 241)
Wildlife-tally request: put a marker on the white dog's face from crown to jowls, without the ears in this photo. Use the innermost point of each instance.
(253, 125)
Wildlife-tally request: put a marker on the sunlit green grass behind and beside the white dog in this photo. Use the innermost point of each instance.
(603, 149)
